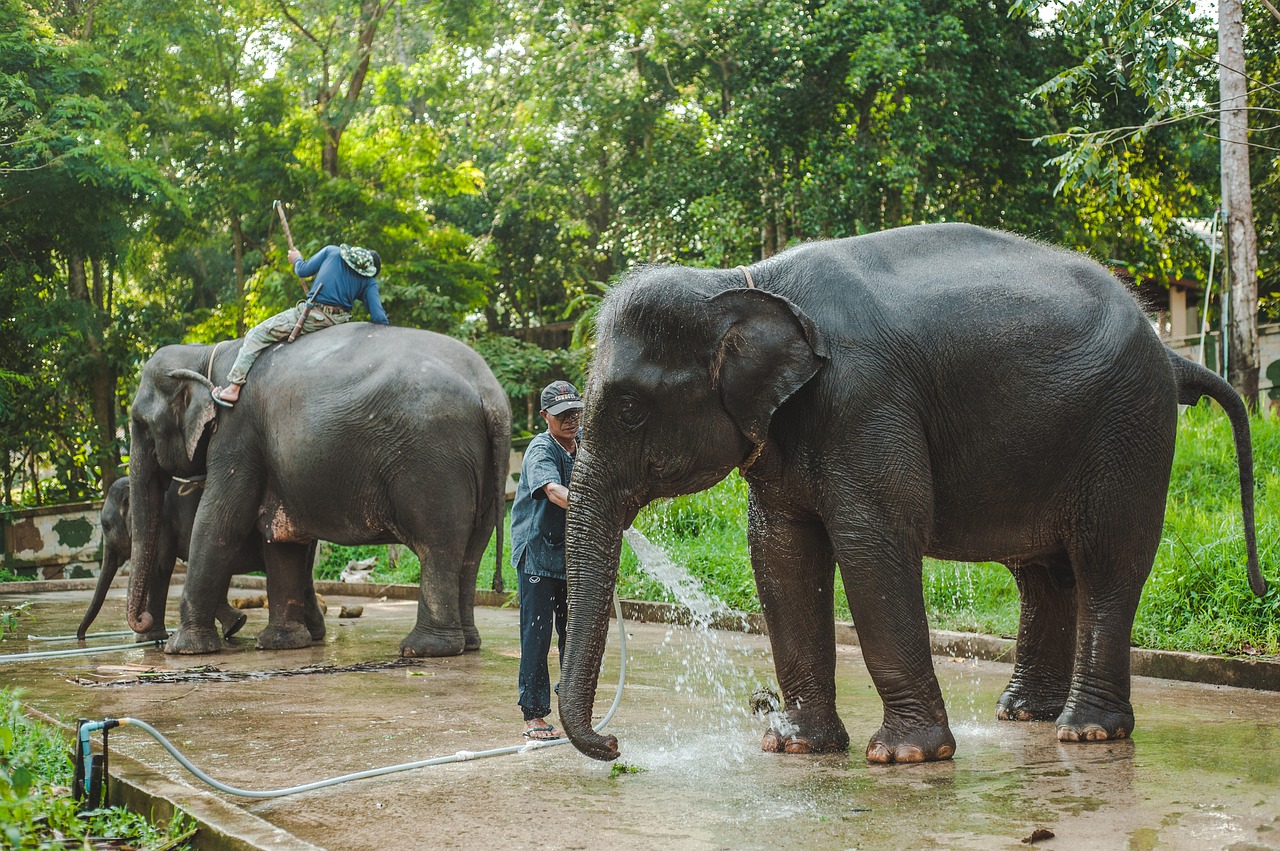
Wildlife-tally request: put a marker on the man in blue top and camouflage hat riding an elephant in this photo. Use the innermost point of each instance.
(342, 276)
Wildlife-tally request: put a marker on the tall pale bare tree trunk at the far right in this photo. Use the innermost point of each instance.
(1242, 240)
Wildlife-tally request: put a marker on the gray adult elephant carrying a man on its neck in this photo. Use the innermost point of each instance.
(359, 434)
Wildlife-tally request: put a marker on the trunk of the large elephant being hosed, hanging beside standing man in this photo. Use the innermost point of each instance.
(593, 538)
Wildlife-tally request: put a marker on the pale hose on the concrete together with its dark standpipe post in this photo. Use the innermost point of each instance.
(92, 770)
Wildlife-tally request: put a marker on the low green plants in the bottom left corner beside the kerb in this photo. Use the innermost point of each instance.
(36, 808)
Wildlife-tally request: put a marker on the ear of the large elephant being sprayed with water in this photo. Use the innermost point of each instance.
(769, 349)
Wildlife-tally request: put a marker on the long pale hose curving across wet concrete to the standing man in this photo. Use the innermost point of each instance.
(88, 729)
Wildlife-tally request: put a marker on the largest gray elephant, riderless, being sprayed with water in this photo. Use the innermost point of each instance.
(935, 391)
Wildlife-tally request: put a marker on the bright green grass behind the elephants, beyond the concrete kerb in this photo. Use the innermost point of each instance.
(1197, 597)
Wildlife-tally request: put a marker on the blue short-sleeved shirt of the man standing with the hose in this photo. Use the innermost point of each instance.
(537, 523)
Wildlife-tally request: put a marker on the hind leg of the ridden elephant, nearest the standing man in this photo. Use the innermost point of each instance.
(438, 632)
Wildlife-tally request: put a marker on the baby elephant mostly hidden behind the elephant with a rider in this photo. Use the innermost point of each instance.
(179, 516)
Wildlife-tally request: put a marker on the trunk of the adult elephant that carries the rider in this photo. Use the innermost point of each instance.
(148, 484)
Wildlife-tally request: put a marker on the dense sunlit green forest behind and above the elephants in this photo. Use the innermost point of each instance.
(509, 159)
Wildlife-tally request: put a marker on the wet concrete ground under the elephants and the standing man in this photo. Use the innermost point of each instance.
(1203, 770)
